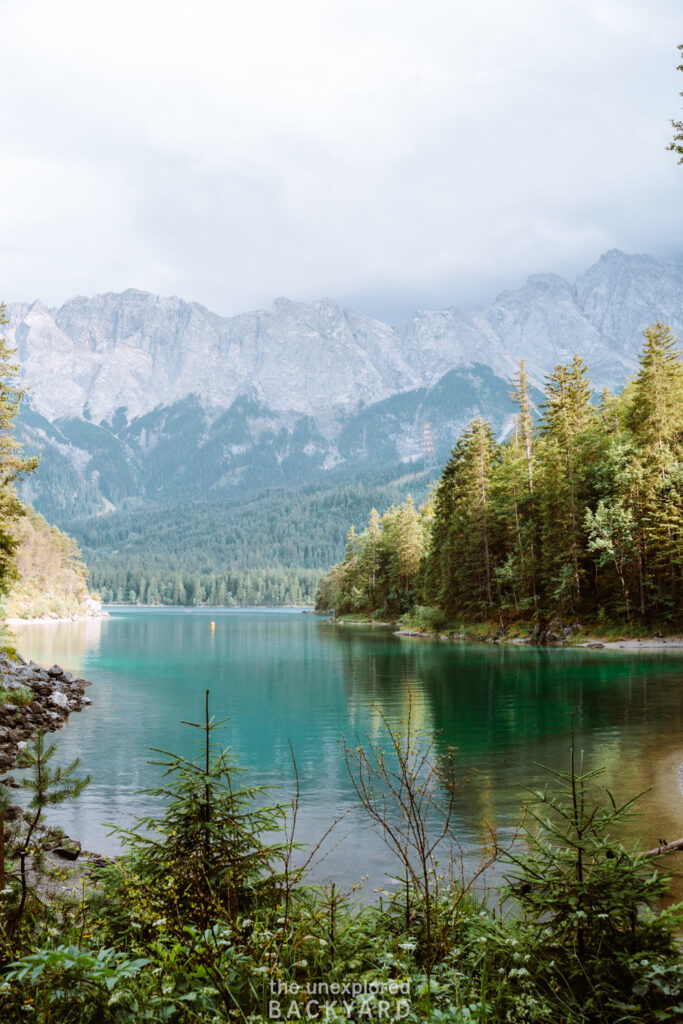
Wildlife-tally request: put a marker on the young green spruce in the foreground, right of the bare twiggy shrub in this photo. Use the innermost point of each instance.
(588, 903)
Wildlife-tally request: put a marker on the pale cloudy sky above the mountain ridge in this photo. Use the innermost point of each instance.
(390, 154)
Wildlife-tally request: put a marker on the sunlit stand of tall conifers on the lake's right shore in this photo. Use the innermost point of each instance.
(580, 513)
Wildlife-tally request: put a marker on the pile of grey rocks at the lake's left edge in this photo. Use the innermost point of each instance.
(33, 698)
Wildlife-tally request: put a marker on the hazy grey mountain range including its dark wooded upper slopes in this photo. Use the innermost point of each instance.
(135, 399)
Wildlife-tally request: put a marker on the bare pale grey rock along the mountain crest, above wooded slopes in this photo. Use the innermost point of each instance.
(137, 352)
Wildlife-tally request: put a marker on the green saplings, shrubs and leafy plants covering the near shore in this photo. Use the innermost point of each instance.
(208, 917)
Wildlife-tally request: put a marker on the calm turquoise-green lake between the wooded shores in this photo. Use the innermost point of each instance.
(283, 677)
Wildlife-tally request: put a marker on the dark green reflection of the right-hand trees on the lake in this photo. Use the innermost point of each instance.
(506, 708)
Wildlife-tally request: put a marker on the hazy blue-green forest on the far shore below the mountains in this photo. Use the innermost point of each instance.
(272, 551)
